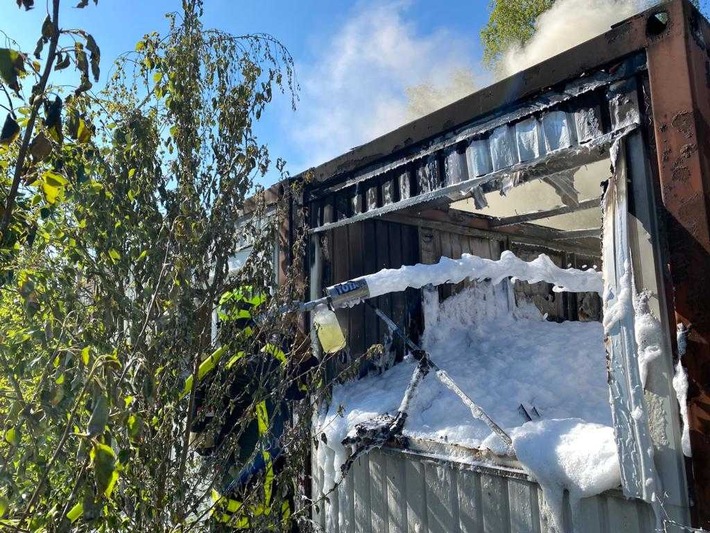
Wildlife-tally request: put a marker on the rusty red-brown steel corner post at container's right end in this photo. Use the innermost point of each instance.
(679, 73)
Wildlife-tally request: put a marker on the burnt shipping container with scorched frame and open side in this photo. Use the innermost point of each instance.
(509, 169)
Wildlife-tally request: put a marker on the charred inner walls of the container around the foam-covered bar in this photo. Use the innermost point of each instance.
(366, 247)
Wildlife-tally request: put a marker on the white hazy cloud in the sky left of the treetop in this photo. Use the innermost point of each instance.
(356, 89)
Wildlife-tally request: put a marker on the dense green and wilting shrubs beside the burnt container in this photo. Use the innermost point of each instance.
(121, 212)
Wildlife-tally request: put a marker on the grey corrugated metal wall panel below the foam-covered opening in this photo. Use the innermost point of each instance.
(388, 491)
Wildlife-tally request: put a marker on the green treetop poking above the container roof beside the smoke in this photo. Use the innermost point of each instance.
(511, 22)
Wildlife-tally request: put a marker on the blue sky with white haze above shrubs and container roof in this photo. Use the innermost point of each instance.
(354, 60)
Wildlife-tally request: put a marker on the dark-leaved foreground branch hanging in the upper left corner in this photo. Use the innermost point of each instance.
(32, 147)
